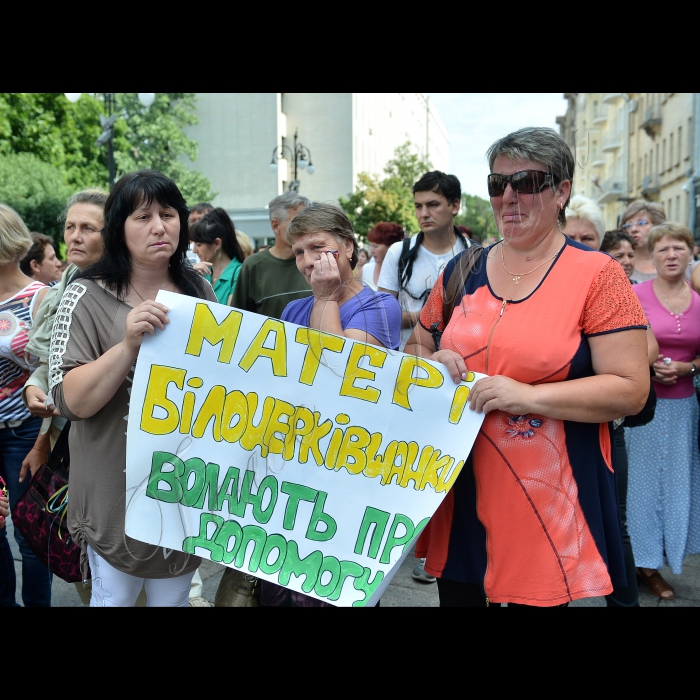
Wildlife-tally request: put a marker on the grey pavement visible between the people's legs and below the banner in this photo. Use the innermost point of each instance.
(403, 591)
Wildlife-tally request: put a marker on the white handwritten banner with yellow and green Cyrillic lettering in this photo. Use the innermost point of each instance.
(306, 459)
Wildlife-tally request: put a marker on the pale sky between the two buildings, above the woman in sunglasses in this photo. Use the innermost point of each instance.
(475, 120)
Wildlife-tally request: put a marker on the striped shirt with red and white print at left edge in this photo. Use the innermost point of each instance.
(15, 321)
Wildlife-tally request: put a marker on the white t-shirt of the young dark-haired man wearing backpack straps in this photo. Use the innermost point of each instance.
(426, 269)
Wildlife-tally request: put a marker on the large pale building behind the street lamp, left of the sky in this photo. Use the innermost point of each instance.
(344, 133)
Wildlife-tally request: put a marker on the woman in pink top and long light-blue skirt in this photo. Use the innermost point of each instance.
(663, 501)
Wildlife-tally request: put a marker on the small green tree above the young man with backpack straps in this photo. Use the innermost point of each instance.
(387, 199)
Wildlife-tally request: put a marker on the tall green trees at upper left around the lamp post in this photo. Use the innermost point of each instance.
(63, 134)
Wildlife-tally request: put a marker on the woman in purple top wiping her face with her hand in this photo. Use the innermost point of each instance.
(326, 251)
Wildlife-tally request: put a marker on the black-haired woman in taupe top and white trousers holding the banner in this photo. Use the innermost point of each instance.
(97, 334)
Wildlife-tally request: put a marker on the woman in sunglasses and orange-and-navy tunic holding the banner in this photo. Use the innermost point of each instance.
(533, 519)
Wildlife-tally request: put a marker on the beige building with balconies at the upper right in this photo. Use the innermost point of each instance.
(630, 146)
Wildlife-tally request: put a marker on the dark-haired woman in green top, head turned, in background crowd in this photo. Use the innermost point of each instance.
(219, 251)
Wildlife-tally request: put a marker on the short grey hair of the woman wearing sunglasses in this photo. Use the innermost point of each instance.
(541, 145)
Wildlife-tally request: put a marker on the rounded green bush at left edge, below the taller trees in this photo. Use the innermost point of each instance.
(35, 190)
